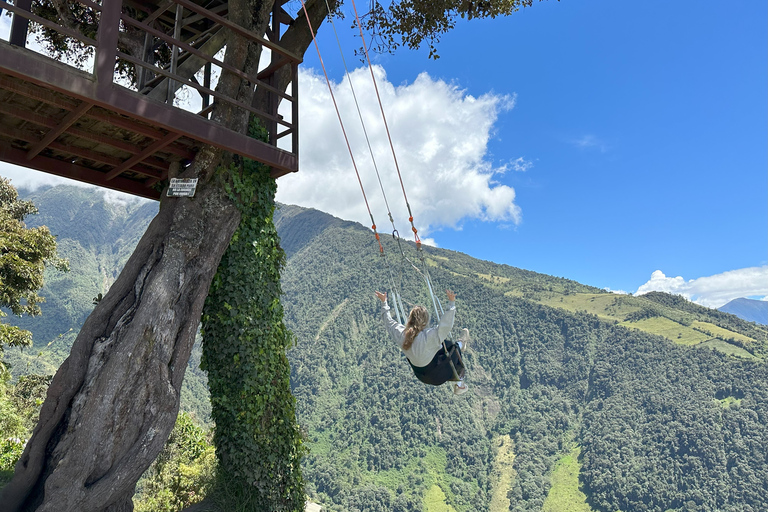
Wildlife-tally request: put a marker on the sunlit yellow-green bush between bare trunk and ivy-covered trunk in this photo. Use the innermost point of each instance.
(182, 474)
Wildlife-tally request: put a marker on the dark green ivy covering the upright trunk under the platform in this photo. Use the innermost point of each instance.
(257, 439)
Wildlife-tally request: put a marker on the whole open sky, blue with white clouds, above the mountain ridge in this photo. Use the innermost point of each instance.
(602, 141)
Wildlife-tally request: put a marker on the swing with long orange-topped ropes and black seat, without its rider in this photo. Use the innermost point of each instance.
(447, 364)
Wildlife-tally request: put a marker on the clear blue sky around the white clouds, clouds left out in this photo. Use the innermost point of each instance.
(645, 124)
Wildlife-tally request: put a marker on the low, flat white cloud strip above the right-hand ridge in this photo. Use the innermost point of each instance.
(712, 291)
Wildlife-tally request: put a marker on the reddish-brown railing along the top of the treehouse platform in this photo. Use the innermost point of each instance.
(180, 42)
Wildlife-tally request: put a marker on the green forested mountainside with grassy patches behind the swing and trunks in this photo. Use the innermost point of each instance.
(654, 403)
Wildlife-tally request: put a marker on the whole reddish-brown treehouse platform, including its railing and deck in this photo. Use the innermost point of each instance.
(82, 121)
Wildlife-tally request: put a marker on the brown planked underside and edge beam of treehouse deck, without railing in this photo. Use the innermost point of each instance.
(61, 120)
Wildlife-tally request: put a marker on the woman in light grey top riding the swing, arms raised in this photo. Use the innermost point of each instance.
(424, 347)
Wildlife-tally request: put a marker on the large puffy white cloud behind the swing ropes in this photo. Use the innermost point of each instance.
(441, 137)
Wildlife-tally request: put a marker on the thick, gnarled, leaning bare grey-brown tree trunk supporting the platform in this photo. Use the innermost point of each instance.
(114, 400)
